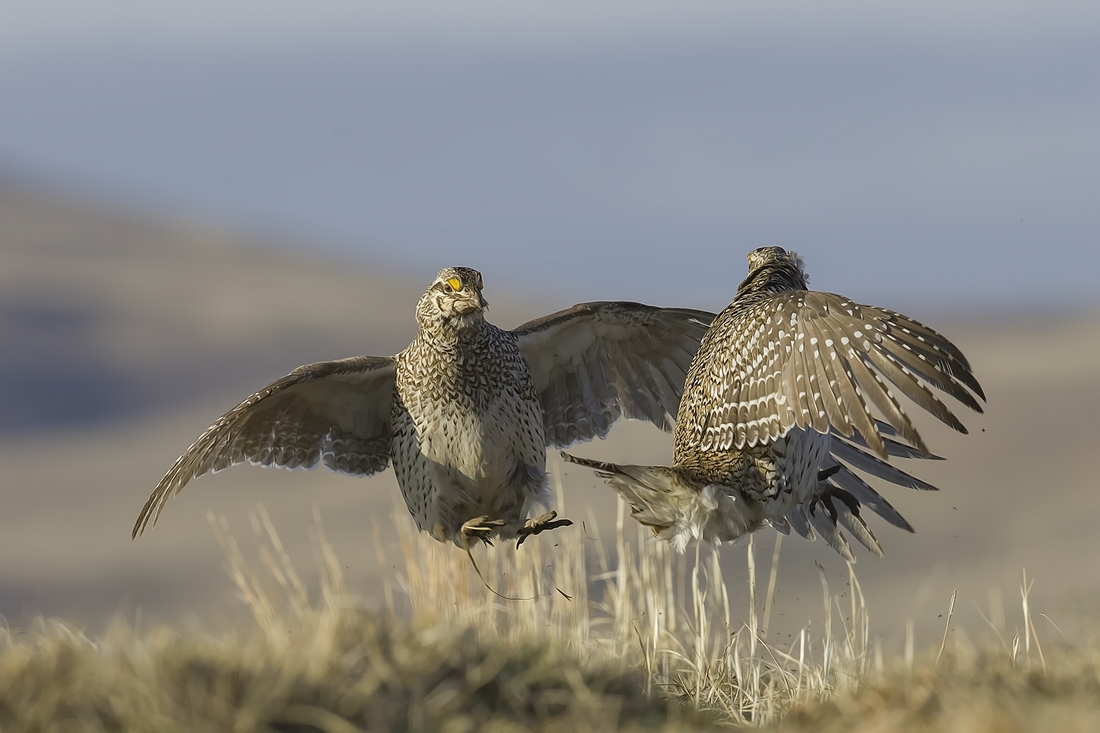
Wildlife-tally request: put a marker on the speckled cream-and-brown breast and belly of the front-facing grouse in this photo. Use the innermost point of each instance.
(466, 421)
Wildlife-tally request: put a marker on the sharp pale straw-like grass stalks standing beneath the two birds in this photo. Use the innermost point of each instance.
(665, 614)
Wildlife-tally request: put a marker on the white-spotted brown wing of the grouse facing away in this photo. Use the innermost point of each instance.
(818, 360)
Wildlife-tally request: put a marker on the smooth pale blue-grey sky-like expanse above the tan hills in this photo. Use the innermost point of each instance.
(938, 154)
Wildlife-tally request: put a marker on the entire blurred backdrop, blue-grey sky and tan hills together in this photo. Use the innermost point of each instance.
(196, 198)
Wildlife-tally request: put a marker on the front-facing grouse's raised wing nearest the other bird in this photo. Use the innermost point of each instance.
(597, 363)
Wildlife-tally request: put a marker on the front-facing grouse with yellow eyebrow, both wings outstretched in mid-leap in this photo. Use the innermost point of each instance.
(466, 412)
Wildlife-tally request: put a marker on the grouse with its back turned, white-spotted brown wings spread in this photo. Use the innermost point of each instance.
(791, 389)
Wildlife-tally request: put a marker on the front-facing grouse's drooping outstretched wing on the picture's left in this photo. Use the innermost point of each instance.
(336, 413)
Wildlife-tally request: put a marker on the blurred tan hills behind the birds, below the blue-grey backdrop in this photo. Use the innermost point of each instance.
(124, 338)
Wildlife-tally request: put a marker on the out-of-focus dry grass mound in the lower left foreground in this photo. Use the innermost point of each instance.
(322, 665)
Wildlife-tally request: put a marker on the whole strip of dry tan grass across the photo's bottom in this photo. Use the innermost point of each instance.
(622, 641)
